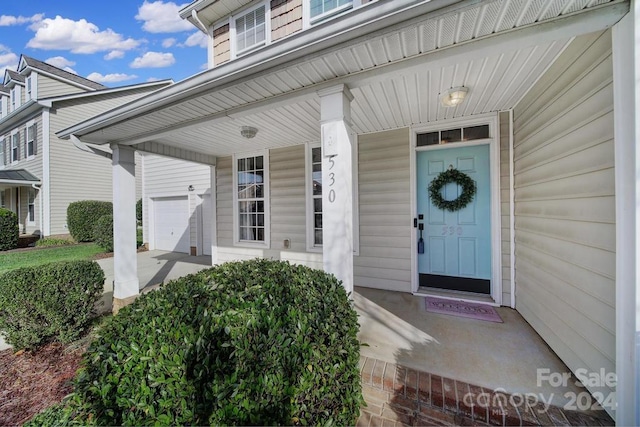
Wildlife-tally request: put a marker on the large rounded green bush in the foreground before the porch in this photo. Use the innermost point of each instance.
(247, 343)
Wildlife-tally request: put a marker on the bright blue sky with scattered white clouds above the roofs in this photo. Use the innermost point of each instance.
(117, 42)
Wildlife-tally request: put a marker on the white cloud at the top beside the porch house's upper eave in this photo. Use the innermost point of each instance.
(161, 17)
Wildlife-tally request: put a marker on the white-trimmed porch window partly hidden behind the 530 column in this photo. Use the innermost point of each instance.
(314, 198)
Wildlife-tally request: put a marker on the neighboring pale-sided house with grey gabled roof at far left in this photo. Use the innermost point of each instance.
(40, 174)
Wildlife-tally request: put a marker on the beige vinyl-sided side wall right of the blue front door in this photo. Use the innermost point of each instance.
(565, 206)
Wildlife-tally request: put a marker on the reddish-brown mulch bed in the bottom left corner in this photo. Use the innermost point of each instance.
(31, 382)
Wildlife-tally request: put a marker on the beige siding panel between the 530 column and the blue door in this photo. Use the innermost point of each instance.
(385, 221)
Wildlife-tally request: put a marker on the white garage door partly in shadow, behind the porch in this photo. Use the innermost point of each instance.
(171, 224)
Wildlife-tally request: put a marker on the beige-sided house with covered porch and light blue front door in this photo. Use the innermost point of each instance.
(319, 126)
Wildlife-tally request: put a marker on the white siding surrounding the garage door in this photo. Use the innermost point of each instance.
(164, 176)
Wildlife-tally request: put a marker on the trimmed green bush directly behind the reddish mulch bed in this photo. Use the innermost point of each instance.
(49, 301)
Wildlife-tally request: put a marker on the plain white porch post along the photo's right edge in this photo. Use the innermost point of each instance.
(626, 93)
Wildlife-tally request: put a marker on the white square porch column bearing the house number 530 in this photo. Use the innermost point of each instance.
(337, 183)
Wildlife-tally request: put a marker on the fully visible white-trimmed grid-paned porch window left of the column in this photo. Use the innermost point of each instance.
(251, 202)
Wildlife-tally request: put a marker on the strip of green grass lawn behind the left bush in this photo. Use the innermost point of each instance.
(13, 260)
